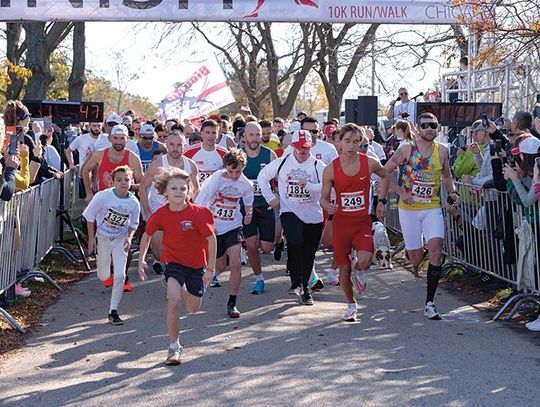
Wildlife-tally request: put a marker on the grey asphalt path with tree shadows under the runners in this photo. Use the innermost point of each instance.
(278, 353)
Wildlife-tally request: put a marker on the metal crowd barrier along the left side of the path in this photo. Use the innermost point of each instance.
(29, 230)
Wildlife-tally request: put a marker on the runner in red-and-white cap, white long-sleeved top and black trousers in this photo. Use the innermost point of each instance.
(299, 177)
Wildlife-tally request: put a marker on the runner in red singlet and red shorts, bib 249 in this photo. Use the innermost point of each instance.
(350, 175)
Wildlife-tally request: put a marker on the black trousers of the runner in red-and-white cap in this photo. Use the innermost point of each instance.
(302, 244)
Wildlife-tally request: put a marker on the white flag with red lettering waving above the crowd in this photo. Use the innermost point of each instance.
(204, 91)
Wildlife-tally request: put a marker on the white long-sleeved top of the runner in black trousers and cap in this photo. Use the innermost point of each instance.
(303, 201)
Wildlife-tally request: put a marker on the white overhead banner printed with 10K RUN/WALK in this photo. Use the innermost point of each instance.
(328, 11)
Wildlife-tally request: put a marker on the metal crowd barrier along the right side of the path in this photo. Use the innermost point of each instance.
(493, 235)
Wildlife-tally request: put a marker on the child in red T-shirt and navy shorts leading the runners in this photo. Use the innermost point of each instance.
(189, 250)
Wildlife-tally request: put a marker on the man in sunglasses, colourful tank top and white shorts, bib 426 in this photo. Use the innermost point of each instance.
(424, 164)
